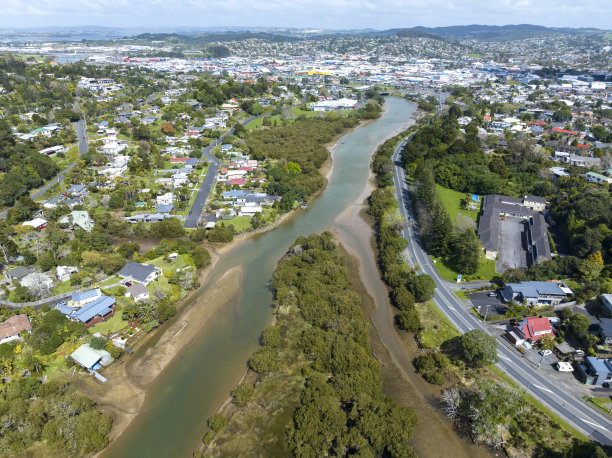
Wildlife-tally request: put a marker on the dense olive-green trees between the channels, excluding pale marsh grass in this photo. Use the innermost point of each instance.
(341, 408)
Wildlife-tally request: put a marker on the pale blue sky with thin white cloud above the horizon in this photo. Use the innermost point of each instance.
(316, 14)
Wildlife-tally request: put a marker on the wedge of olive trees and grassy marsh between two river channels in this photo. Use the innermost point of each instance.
(318, 388)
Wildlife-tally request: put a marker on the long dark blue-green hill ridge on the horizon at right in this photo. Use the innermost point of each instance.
(500, 33)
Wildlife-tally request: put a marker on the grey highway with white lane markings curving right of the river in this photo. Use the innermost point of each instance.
(577, 413)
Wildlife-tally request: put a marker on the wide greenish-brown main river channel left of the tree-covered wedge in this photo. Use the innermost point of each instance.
(194, 385)
